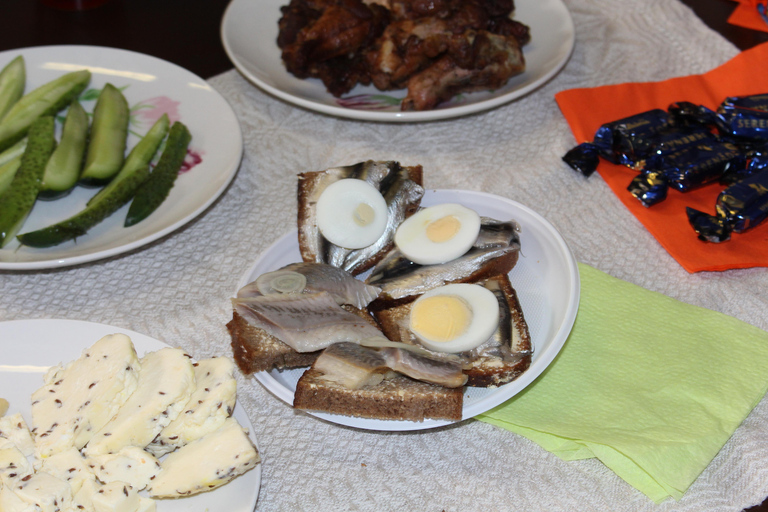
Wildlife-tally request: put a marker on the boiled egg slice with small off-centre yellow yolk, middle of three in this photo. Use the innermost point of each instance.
(438, 233)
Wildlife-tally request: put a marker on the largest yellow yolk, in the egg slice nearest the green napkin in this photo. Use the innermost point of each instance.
(440, 318)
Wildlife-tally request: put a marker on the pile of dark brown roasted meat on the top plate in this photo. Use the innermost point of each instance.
(434, 48)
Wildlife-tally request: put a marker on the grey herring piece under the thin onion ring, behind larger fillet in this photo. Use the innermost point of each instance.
(342, 286)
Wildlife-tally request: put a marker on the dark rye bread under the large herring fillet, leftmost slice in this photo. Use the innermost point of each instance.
(255, 350)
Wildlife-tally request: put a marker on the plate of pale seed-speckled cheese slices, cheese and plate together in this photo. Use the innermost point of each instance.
(101, 417)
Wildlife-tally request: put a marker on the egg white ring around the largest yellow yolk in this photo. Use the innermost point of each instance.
(483, 323)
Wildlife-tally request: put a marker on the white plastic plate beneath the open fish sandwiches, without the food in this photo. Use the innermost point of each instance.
(546, 279)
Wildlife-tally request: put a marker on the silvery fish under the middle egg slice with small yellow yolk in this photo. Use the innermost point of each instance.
(400, 278)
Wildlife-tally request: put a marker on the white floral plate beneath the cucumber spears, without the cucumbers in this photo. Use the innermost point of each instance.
(150, 82)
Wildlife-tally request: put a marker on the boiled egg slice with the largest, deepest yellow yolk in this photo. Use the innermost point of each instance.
(455, 317)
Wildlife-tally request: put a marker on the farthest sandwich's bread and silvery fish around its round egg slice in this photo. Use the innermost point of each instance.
(401, 193)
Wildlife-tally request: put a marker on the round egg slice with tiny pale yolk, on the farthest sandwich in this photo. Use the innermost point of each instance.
(351, 213)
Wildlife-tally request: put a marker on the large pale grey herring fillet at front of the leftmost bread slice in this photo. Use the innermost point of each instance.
(305, 322)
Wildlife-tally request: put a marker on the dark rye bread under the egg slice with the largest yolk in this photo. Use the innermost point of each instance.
(481, 371)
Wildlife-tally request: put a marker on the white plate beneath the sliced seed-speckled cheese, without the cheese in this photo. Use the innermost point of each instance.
(30, 347)
